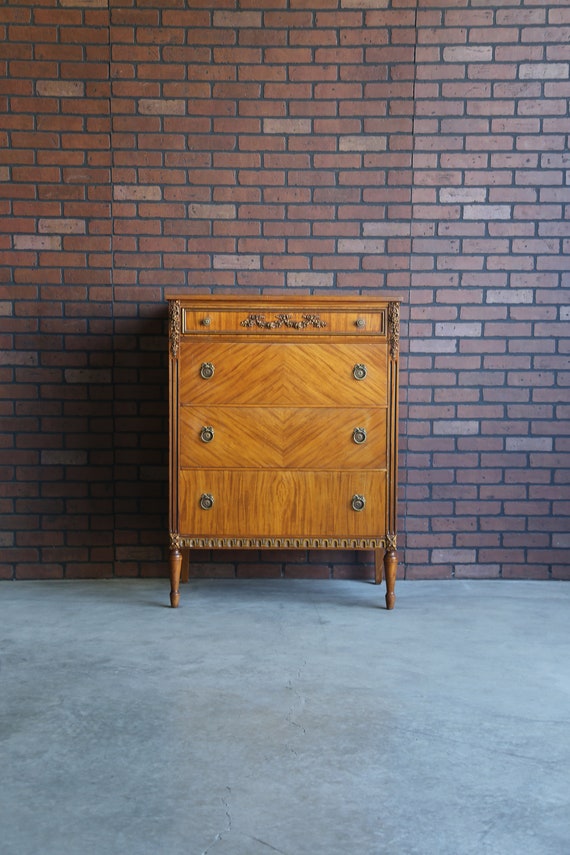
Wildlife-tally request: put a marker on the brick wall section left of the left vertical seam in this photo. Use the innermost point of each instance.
(56, 315)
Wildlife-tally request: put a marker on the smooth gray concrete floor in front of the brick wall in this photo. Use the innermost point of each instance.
(292, 717)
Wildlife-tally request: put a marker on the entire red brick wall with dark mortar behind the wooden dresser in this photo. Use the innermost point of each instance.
(396, 147)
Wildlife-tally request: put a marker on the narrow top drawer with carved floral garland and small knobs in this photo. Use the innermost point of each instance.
(261, 321)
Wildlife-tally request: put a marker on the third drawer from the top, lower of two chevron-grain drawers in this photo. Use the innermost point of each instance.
(292, 438)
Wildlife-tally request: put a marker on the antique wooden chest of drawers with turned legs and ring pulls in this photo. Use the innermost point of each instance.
(283, 426)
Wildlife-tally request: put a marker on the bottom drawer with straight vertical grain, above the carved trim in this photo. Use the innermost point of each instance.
(277, 503)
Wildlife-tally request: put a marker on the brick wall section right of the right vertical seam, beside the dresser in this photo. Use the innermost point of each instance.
(488, 441)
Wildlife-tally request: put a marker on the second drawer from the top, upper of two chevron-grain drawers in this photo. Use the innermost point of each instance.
(282, 374)
